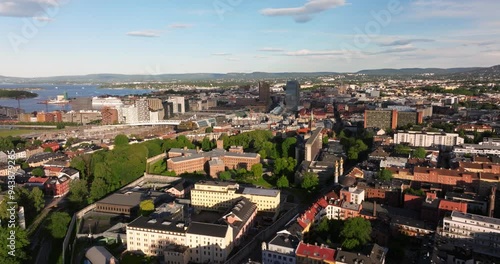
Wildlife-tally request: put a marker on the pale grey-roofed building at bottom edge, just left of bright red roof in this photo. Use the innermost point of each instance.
(281, 249)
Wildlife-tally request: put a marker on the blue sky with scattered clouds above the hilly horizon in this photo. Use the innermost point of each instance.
(76, 37)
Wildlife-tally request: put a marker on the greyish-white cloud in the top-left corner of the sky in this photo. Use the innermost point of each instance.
(27, 8)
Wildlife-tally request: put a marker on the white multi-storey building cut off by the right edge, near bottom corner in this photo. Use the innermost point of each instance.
(479, 233)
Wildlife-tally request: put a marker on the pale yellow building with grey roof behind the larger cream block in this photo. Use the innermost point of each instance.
(219, 196)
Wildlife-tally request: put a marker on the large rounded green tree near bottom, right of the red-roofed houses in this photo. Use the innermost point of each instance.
(356, 233)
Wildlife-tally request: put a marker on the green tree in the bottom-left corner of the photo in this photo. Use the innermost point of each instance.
(21, 243)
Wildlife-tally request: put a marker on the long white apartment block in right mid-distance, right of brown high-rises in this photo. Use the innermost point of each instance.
(428, 139)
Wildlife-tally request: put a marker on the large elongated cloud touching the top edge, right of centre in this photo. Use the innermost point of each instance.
(304, 13)
